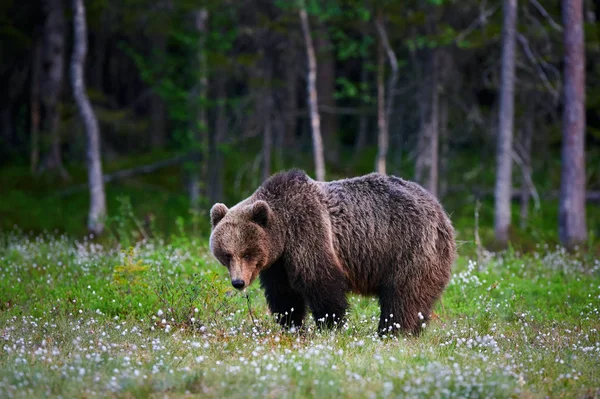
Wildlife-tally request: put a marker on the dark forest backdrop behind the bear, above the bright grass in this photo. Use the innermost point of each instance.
(199, 101)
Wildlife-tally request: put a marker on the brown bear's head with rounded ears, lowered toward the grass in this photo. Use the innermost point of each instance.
(242, 240)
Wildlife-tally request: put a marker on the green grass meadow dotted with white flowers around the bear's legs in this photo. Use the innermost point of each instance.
(153, 318)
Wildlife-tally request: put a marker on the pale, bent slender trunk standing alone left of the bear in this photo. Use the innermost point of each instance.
(97, 211)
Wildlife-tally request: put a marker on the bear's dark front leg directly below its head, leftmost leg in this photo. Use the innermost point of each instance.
(286, 303)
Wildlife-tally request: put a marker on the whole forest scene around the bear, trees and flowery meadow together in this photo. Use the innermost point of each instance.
(123, 122)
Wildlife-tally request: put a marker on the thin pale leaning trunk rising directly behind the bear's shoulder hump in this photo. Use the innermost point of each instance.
(312, 97)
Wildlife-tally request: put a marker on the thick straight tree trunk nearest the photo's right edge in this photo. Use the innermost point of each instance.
(572, 224)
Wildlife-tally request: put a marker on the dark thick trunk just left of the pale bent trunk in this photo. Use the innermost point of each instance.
(53, 55)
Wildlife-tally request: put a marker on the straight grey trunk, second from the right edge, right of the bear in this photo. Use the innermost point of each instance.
(505, 125)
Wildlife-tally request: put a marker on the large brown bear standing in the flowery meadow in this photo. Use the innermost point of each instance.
(312, 242)
